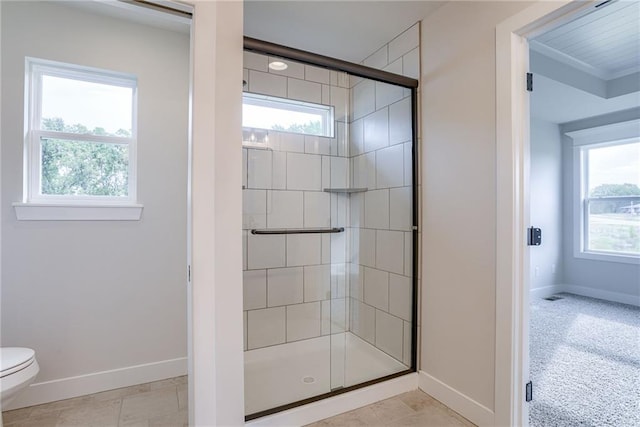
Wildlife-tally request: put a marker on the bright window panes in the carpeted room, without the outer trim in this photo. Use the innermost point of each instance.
(610, 198)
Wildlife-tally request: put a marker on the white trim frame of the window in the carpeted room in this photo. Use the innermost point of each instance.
(583, 140)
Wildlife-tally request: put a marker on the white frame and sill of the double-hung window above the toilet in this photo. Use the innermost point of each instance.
(38, 206)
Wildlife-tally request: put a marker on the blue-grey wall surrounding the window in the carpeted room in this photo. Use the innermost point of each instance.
(602, 279)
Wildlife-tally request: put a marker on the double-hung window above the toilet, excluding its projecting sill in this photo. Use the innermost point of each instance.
(80, 136)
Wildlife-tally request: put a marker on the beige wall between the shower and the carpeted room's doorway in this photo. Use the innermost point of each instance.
(459, 203)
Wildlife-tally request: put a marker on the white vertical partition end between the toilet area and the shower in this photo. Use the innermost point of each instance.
(215, 337)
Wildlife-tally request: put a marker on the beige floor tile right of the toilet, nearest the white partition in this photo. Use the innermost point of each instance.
(150, 404)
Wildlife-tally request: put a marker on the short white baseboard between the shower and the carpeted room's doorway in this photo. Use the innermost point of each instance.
(470, 409)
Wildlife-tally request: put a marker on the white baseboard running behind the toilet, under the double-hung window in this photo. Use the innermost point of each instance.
(66, 388)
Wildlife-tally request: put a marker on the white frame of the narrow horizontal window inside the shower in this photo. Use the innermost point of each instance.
(327, 112)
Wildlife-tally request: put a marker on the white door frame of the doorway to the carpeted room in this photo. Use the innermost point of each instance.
(512, 203)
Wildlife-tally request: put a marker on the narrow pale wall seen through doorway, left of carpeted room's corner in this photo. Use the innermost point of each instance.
(545, 200)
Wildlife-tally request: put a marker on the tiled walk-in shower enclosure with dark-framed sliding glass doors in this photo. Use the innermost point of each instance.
(329, 230)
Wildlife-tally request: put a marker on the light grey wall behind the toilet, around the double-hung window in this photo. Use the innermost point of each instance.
(97, 296)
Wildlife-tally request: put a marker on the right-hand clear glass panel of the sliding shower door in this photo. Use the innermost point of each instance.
(378, 269)
